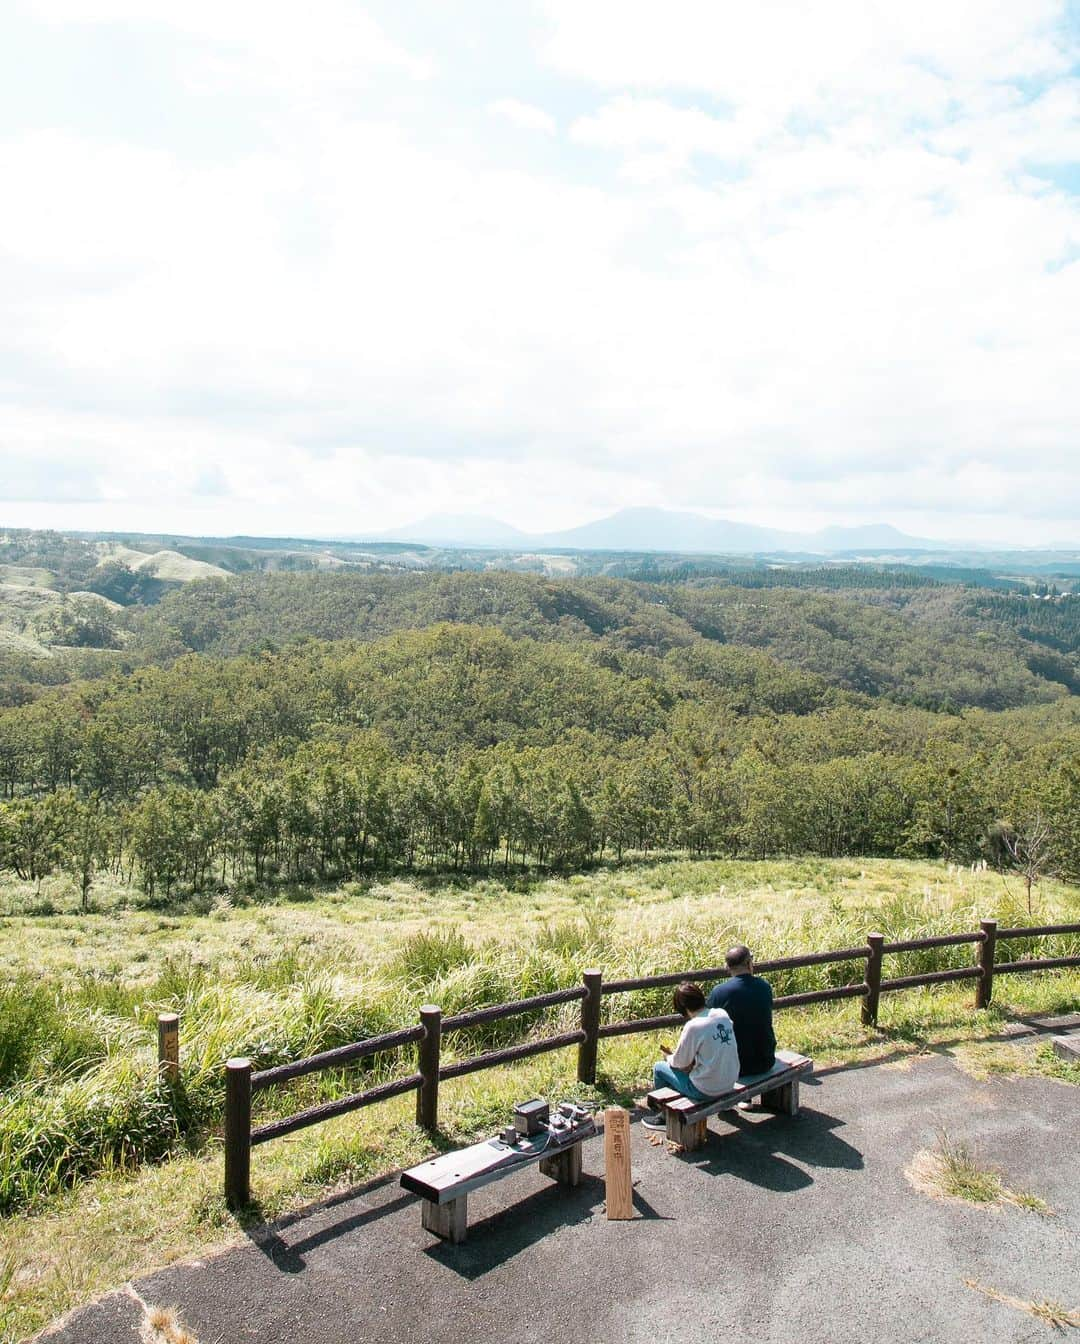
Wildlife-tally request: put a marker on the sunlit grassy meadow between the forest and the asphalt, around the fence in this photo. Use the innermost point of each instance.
(104, 1173)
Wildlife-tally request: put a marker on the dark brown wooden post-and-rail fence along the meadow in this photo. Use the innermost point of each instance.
(242, 1083)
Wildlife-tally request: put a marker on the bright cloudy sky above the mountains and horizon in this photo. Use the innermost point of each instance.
(326, 268)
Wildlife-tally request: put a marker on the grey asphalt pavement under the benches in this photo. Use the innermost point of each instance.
(780, 1229)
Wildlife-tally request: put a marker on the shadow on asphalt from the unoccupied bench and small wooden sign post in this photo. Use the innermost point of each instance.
(495, 1240)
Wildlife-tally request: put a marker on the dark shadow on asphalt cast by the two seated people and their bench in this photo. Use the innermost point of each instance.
(764, 1151)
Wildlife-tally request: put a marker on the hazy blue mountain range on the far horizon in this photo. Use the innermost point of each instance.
(662, 530)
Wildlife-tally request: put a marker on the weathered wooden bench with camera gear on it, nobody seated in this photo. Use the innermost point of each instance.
(445, 1182)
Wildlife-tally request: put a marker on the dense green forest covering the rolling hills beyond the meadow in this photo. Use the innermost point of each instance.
(326, 725)
